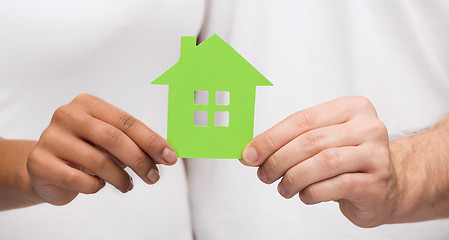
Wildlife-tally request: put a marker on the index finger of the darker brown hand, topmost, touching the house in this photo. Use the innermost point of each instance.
(148, 140)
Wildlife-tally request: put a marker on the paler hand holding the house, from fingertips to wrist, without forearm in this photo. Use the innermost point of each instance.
(336, 151)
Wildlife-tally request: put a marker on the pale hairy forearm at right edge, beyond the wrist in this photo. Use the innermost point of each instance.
(421, 162)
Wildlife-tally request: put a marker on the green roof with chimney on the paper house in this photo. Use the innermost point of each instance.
(212, 58)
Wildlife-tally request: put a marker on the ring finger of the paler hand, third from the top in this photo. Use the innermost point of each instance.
(327, 164)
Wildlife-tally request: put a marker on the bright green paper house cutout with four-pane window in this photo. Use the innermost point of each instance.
(211, 100)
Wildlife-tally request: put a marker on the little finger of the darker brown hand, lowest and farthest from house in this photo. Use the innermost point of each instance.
(66, 177)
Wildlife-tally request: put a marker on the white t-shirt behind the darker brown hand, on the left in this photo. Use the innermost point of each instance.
(53, 50)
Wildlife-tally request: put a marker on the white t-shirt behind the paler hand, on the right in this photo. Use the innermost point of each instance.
(394, 52)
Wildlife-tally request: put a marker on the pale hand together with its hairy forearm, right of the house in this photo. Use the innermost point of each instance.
(340, 151)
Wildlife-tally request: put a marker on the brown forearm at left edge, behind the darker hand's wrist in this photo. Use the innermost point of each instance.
(16, 190)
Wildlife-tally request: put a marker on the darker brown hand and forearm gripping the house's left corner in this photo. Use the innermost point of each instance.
(89, 142)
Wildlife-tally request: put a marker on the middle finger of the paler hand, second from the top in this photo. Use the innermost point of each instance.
(307, 145)
